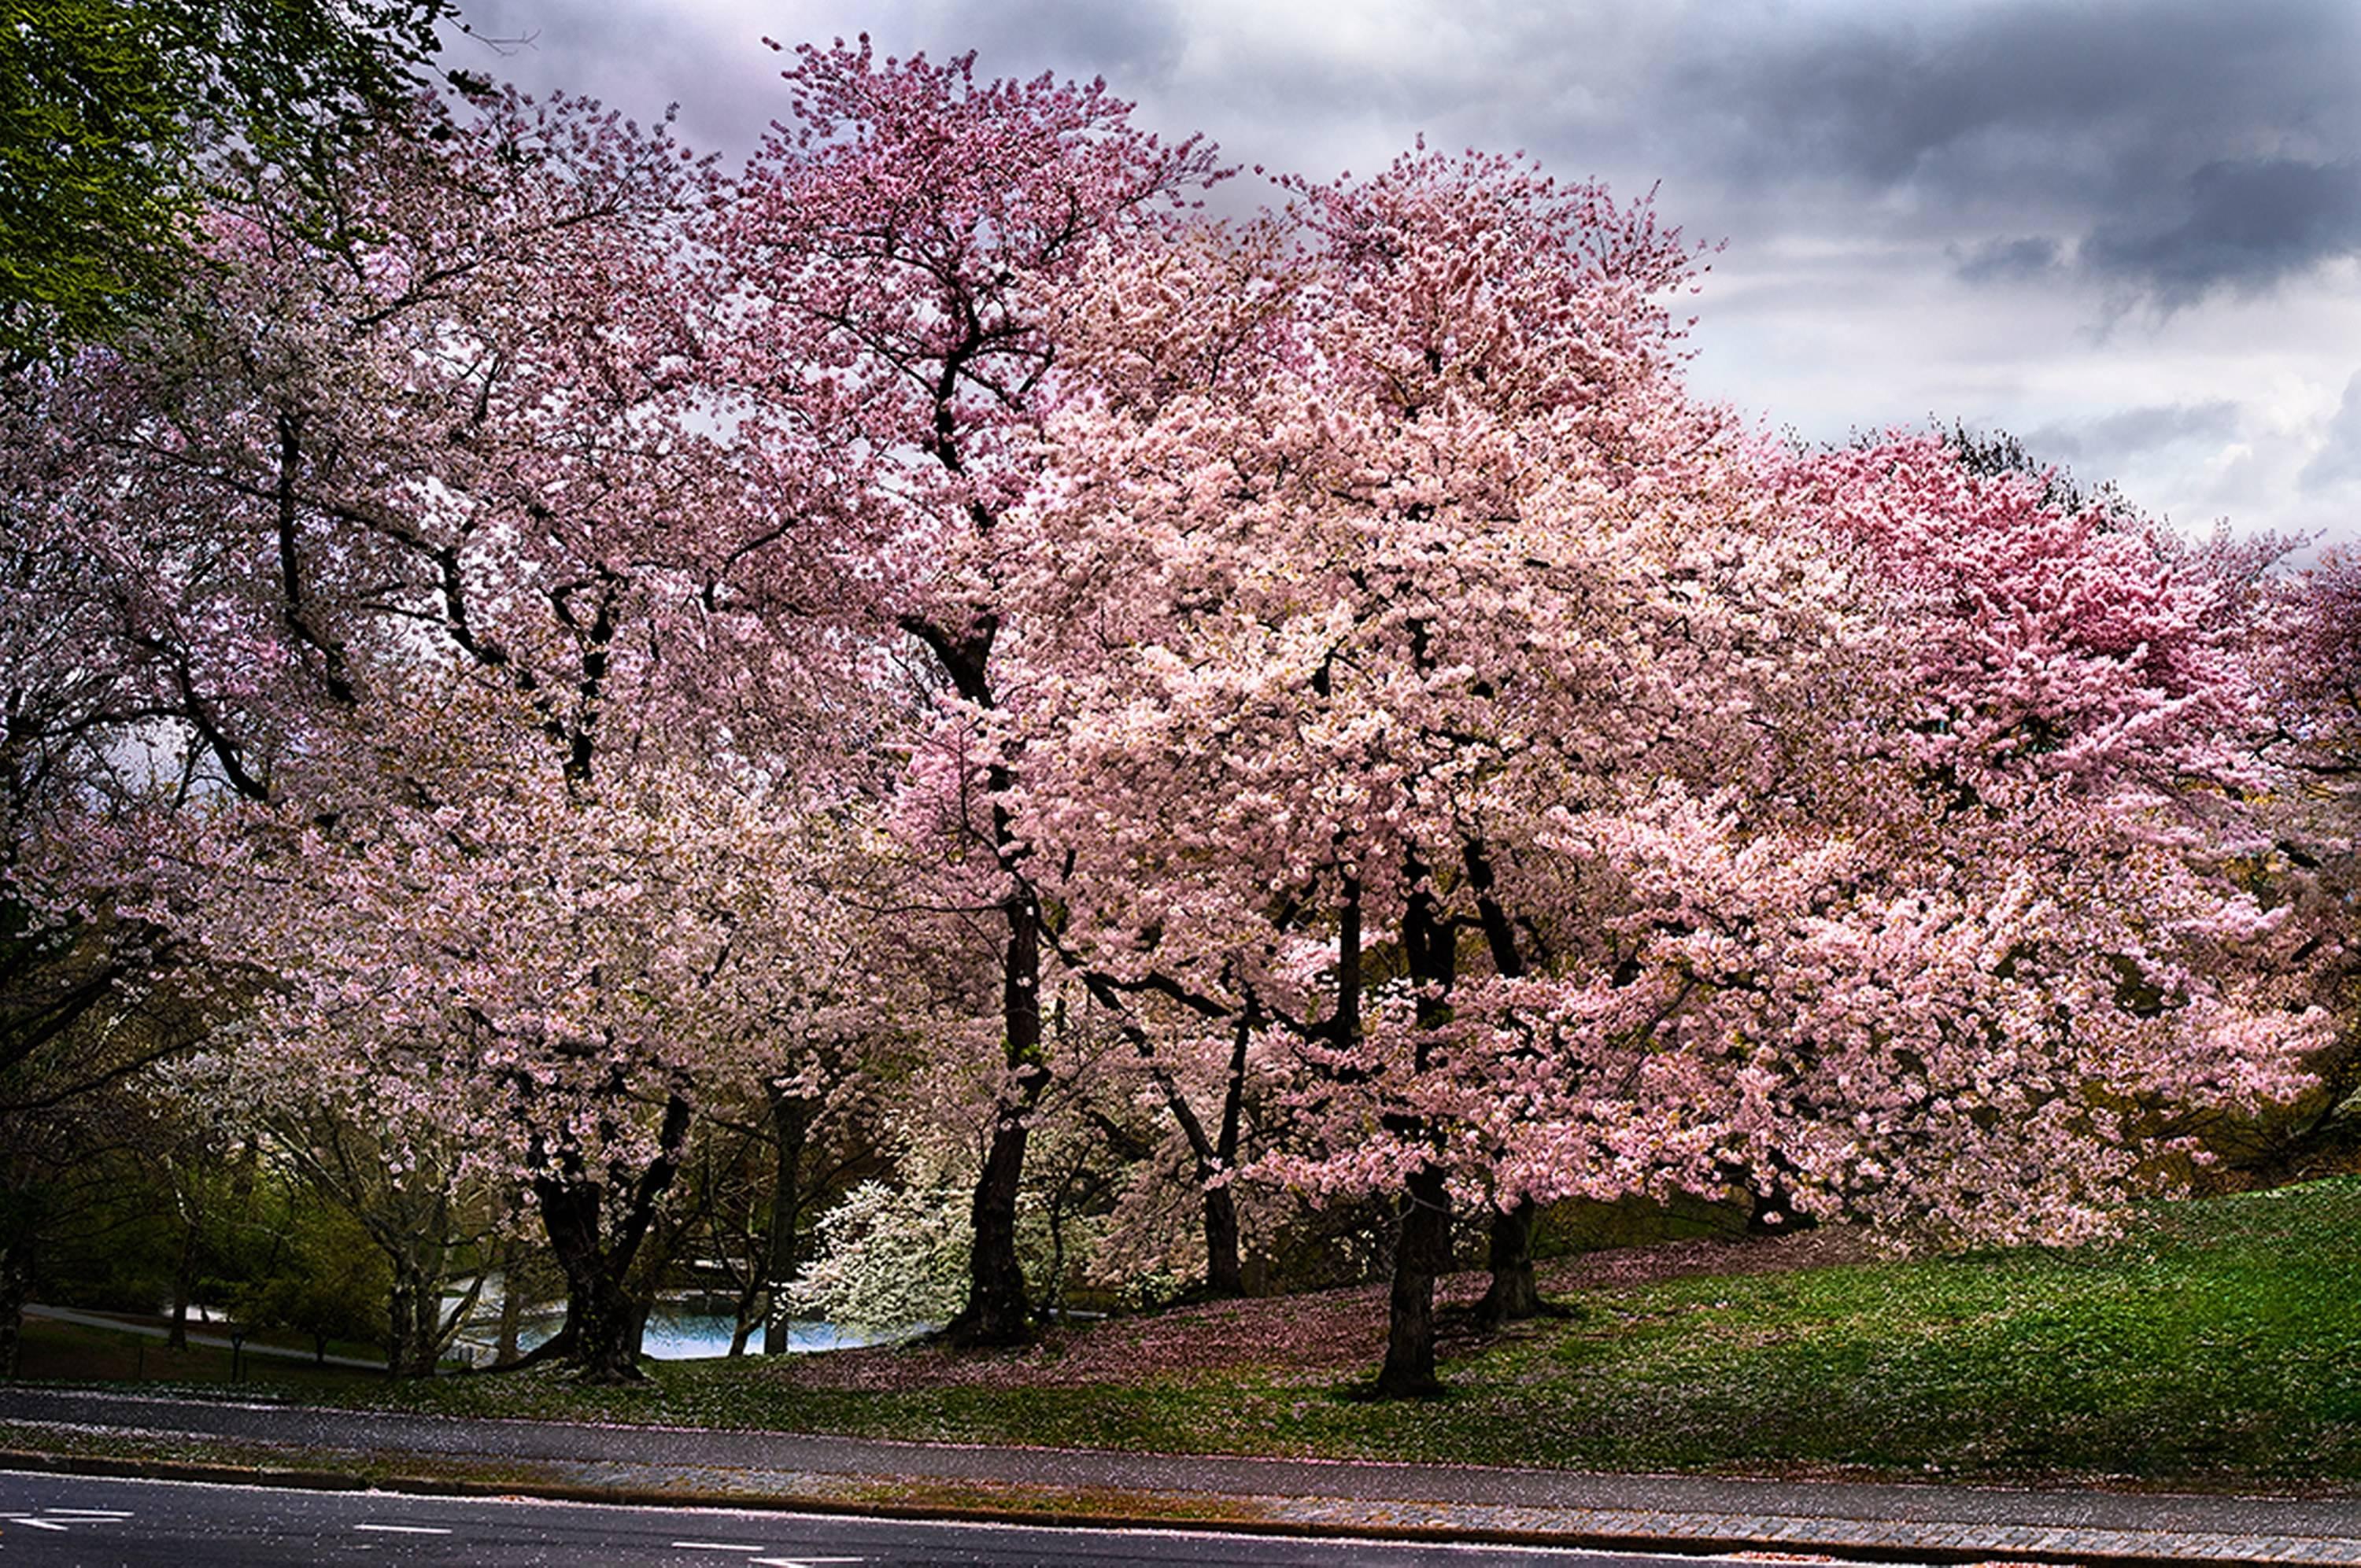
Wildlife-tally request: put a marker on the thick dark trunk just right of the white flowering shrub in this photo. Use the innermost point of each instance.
(998, 1312)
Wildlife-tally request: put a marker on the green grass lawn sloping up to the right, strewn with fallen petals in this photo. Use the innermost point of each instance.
(2218, 1347)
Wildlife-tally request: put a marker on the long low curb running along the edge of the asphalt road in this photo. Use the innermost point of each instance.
(1434, 1529)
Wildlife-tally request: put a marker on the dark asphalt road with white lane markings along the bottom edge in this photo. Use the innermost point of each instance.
(155, 1524)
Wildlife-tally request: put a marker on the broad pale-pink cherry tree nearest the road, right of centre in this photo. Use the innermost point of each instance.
(1592, 804)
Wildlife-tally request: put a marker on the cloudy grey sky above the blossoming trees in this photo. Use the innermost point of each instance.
(2124, 230)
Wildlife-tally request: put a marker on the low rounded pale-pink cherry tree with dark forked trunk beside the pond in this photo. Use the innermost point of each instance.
(556, 986)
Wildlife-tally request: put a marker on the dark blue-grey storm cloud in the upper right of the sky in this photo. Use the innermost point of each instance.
(2183, 148)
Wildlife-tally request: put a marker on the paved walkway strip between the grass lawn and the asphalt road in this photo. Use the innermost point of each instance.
(1460, 1503)
